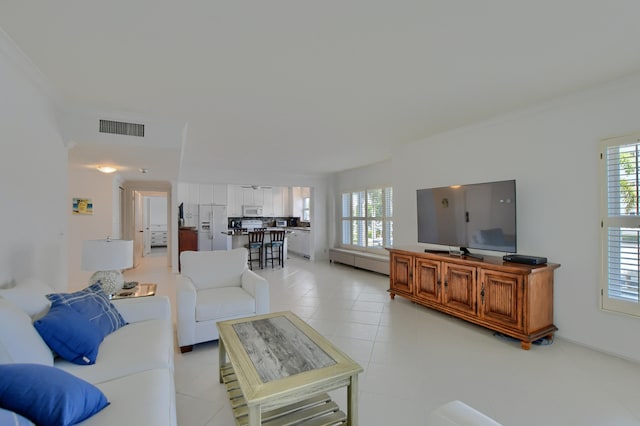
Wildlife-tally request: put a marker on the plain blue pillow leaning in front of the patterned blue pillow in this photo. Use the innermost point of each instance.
(70, 334)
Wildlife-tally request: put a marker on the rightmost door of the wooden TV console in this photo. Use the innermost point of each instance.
(500, 295)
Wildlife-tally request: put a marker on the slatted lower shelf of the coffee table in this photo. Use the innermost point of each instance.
(318, 410)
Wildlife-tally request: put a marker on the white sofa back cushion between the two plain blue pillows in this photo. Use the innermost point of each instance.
(19, 340)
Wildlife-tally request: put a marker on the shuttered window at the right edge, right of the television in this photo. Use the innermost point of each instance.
(620, 233)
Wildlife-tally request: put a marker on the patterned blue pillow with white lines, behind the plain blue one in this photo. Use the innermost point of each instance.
(95, 305)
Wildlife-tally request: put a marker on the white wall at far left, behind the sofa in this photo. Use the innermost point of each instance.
(33, 177)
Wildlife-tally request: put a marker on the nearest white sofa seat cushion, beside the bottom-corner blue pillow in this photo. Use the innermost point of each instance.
(146, 398)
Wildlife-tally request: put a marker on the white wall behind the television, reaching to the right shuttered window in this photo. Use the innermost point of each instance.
(552, 152)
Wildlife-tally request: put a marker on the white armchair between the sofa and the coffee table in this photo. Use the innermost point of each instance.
(215, 286)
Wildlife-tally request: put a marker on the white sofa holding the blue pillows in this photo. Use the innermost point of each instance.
(134, 368)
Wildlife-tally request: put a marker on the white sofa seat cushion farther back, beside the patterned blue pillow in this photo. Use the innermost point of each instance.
(133, 348)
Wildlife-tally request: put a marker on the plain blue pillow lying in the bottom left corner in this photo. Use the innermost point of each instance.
(47, 395)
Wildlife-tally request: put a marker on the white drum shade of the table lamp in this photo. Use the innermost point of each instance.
(107, 255)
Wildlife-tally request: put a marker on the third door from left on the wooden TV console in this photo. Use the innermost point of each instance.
(459, 287)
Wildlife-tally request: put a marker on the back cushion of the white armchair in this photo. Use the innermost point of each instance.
(218, 268)
